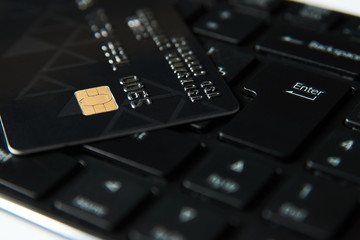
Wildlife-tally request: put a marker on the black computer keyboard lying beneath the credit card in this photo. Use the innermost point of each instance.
(285, 166)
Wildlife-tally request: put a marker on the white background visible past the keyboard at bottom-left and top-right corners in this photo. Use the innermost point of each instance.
(11, 227)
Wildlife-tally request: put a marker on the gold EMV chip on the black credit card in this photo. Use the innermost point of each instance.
(96, 100)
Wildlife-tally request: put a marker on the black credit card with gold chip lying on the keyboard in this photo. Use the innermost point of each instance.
(84, 70)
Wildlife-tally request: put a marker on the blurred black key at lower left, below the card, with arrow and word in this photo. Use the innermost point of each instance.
(103, 196)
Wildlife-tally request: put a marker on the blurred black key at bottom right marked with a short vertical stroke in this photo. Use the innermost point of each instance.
(312, 206)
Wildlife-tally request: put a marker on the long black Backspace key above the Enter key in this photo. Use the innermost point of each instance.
(331, 52)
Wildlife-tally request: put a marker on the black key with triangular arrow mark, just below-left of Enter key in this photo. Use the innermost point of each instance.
(232, 177)
